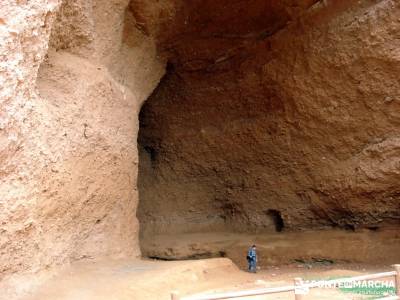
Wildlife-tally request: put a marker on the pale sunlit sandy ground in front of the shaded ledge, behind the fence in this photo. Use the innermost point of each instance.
(148, 279)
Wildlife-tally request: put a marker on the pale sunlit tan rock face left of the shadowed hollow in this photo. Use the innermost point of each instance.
(68, 131)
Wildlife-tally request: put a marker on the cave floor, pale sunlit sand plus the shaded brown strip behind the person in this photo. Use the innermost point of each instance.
(316, 255)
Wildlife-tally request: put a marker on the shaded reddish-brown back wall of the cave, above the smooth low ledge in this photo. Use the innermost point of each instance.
(303, 122)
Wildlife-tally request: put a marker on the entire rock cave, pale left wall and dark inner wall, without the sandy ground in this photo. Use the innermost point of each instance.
(131, 125)
